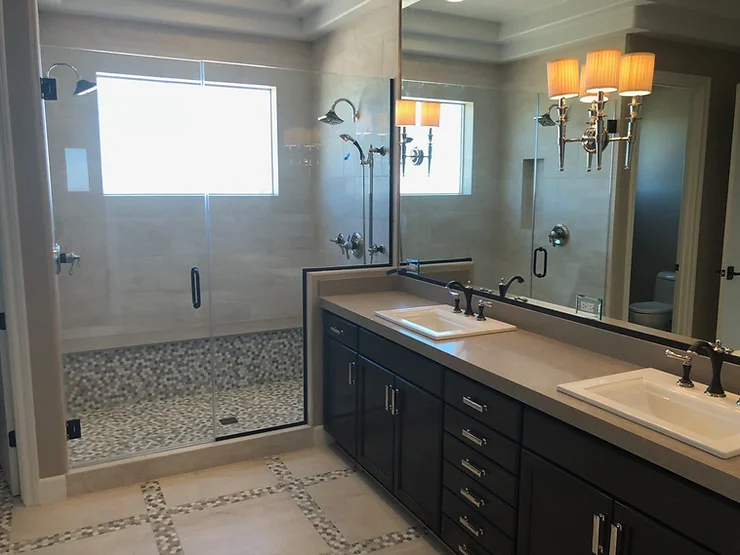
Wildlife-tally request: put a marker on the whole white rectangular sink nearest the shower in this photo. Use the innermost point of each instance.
(439, 322)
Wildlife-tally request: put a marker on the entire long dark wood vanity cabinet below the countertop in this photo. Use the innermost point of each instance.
(489, 475)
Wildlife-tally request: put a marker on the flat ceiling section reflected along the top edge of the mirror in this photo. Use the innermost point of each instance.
(489, 10)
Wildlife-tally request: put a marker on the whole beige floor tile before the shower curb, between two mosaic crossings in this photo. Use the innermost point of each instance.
(213, 482)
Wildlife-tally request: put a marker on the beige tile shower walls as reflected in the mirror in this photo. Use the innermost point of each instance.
(492, 225)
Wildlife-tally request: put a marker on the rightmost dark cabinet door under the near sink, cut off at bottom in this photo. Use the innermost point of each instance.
(635, 534)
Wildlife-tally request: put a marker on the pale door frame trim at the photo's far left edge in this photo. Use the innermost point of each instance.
(15, 302)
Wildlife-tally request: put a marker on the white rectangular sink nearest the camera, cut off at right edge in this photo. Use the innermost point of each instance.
(652, 398)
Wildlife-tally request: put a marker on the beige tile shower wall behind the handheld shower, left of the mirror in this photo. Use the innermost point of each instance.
(356, 61)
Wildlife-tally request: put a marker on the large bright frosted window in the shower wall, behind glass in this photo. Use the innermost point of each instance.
(162, 137)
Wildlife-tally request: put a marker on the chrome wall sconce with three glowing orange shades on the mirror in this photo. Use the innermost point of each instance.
(606, 71)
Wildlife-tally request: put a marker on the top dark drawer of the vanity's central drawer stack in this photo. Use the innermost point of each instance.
(493, 409)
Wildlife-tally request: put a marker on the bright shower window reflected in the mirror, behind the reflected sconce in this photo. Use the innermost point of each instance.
(446, 176)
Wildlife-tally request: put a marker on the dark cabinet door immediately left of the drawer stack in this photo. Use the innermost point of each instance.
(419, 429)
